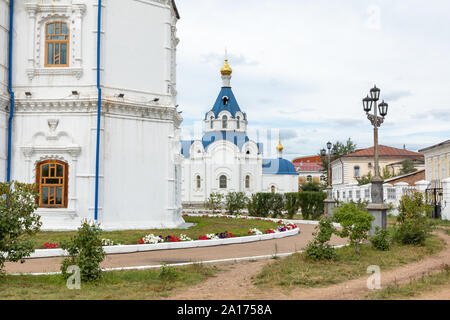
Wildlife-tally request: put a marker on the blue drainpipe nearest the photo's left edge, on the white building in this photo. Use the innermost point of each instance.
(10, 91)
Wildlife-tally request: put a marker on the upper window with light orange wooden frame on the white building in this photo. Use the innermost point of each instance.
(56, 44)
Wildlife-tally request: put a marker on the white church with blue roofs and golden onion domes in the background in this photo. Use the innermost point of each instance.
(226, 160)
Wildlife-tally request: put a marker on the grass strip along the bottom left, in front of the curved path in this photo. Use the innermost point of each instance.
(146, 284)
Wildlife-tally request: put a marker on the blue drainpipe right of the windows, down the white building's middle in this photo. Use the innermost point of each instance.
(99, 108)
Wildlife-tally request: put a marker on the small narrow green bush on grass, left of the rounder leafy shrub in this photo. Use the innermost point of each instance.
(319, 248)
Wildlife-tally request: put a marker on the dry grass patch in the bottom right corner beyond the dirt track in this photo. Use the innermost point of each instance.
(414, 288)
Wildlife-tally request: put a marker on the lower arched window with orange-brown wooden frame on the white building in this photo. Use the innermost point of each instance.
(51, 178)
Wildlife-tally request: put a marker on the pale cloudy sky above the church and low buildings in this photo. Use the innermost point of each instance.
(303, 66)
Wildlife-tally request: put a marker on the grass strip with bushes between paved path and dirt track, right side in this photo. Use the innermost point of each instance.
(298, 271)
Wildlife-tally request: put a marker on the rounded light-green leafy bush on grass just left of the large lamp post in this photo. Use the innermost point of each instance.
(356, 223)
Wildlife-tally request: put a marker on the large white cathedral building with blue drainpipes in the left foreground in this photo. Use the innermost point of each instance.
(88, 110)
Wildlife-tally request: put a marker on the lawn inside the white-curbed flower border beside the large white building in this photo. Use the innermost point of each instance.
(239, 227)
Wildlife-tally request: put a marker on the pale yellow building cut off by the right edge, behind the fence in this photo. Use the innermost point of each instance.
(437, 161)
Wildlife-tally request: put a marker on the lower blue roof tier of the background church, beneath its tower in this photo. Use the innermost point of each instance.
(238, 138)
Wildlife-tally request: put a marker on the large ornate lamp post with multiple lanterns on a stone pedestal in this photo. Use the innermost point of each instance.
(376, 207)
